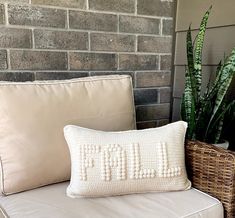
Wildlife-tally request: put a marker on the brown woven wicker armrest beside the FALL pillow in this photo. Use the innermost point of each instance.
(212, 170)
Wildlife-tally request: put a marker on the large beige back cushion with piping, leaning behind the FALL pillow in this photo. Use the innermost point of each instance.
(33, 150)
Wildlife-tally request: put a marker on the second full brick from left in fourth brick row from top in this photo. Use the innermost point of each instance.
(92, 61)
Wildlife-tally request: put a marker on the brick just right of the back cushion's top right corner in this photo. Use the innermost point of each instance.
(153, 79)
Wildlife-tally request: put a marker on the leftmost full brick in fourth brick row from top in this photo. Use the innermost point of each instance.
(38, 60)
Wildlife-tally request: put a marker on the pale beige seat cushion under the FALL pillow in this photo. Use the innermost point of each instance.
(51, 201)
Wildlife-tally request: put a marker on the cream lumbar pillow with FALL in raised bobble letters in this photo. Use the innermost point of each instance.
(136, 161)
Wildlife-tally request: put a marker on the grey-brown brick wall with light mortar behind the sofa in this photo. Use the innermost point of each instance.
(63, 39)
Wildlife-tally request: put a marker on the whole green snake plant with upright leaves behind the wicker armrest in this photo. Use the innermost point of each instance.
(205, 111)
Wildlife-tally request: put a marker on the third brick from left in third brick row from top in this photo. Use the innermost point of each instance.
(112, 42)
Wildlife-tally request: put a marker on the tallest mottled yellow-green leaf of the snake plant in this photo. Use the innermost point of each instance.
(198, 51)
